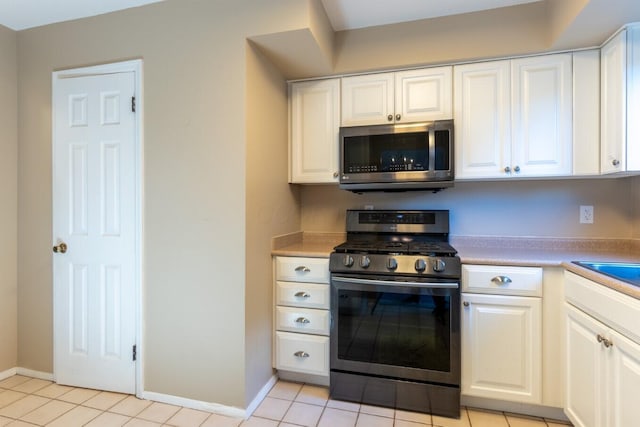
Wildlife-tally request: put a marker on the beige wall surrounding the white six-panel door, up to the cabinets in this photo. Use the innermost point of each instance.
(195, 186)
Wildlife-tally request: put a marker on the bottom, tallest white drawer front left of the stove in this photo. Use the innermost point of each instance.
(302, 353)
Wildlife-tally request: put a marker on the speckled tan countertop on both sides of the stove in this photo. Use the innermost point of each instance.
(512, 251)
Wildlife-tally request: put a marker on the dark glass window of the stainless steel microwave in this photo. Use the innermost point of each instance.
(387, 153)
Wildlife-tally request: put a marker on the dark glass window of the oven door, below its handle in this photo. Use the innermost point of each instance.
(409, 329)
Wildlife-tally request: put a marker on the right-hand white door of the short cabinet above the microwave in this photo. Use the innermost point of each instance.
(423, 95)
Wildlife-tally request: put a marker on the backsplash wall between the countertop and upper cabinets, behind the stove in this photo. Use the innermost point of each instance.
(544, 208)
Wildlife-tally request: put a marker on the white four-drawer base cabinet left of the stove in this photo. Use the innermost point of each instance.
(302, 318)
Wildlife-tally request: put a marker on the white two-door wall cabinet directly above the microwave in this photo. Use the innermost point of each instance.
(401, 97)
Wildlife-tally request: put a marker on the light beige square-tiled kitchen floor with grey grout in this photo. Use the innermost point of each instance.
(28, 402)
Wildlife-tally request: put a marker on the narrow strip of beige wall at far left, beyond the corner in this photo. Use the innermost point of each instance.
(9, 197)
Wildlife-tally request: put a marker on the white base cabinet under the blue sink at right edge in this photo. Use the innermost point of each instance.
(602, 355)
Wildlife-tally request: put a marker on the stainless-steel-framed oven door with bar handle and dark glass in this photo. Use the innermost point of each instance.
(403, 328)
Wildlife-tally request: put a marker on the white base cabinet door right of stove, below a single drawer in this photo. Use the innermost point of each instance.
(502, 347)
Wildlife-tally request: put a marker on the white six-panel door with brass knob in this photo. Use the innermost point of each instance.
(94, 215)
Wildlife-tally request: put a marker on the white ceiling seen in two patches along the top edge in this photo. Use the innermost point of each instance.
(343, 14)
